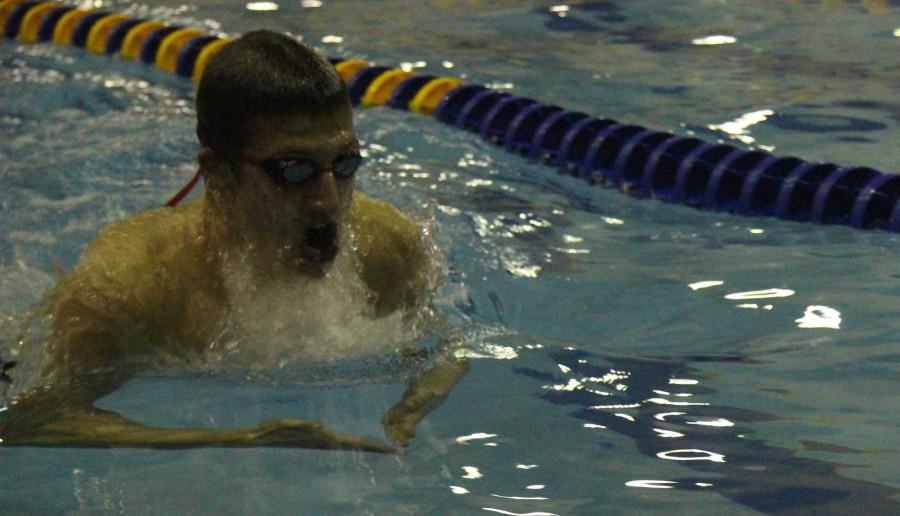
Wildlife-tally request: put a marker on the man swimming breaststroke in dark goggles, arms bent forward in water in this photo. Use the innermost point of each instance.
(279, 157)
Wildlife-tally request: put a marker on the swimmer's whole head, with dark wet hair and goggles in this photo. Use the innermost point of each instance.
(279, 150)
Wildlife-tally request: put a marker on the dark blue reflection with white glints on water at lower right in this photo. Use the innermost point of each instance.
(635, 397)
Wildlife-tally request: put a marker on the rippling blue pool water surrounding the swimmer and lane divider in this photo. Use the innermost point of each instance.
(629, 356)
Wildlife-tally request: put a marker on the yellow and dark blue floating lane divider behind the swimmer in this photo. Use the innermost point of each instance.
(637, 161)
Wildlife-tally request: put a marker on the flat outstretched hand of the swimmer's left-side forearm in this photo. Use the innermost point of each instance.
(309, 434)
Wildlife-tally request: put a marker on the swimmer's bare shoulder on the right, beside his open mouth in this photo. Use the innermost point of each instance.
(393, 254)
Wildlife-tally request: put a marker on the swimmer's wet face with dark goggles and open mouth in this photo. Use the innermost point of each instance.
(293, 190)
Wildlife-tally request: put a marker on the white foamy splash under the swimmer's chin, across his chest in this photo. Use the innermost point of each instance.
(303, 319)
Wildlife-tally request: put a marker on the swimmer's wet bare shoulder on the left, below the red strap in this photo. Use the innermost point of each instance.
(119, 291)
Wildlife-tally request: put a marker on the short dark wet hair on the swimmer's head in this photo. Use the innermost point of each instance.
(261, 74)
